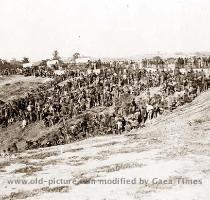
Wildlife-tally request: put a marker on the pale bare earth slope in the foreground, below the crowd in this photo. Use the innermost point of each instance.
(169, 159)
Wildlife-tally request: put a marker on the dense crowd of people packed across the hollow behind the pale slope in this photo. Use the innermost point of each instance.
(111, 100)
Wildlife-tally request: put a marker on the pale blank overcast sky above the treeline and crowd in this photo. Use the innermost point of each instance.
(116, 28)
